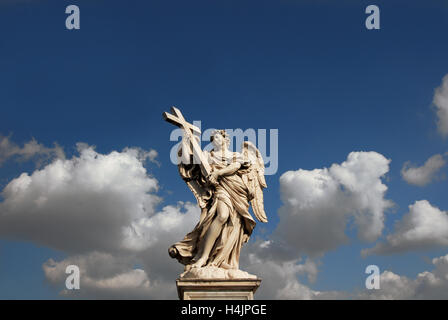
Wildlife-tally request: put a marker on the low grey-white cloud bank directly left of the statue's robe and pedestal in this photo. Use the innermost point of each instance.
(114, 275)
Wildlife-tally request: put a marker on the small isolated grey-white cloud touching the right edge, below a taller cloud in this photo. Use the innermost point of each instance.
(421, 176)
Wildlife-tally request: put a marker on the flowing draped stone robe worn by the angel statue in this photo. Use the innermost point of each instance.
(231, 190)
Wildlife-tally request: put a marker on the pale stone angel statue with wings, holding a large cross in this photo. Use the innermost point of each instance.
(224, 184)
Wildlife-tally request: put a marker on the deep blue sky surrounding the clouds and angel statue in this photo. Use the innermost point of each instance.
(307, 68)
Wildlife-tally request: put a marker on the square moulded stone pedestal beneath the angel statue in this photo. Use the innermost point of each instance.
(217, 289)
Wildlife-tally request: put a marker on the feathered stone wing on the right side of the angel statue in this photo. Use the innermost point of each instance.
(256, 181)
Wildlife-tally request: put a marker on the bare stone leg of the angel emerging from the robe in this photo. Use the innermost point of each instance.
(213, 233)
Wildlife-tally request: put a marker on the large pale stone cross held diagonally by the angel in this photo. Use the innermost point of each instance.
(176, 118)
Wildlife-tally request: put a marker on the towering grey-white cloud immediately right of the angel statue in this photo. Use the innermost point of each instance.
(317, 207)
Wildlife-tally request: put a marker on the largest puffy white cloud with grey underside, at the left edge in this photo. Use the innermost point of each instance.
(79, 204)
